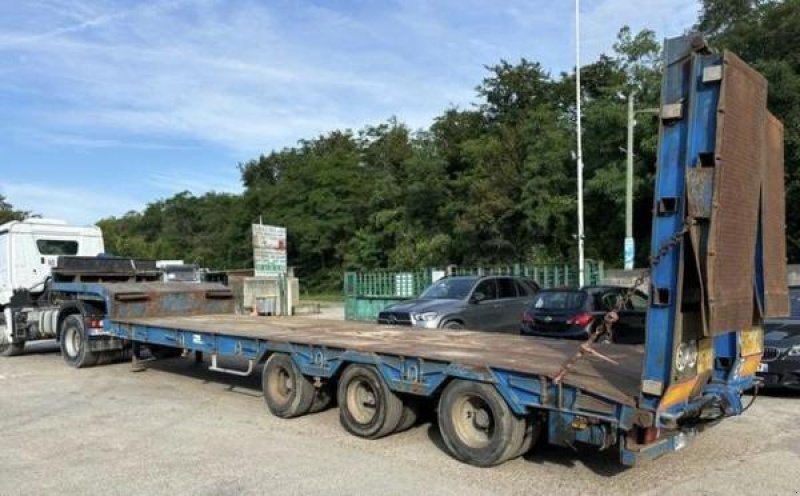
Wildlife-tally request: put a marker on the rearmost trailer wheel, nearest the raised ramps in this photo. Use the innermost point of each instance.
(477, 425)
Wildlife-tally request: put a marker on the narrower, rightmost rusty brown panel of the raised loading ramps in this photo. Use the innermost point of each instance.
(773, 216)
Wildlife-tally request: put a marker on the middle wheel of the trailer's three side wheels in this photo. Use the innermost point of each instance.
(367, 407)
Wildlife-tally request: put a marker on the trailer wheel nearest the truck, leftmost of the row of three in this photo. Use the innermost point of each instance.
(287, 391)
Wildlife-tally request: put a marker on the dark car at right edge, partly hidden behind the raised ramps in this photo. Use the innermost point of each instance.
(780, 365)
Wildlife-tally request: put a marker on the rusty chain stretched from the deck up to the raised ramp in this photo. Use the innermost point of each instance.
(612, 316)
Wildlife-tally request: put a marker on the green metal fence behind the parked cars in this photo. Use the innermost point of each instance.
(367, 293)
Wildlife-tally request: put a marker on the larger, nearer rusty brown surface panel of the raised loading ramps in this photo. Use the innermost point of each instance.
(740, 157)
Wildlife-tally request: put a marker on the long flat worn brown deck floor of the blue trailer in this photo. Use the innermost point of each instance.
(475, 349)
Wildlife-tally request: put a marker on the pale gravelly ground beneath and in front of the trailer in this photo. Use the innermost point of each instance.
(179, 429)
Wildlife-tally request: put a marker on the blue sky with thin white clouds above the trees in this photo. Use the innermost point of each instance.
(107, 105)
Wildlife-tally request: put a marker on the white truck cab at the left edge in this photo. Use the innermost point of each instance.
(30, 248)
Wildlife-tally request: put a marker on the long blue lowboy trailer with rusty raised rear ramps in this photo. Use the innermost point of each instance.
(719, 268)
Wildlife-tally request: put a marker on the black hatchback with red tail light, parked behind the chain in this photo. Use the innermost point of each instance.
(573, 313)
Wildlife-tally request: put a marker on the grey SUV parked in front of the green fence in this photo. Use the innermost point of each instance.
(489, 303)
